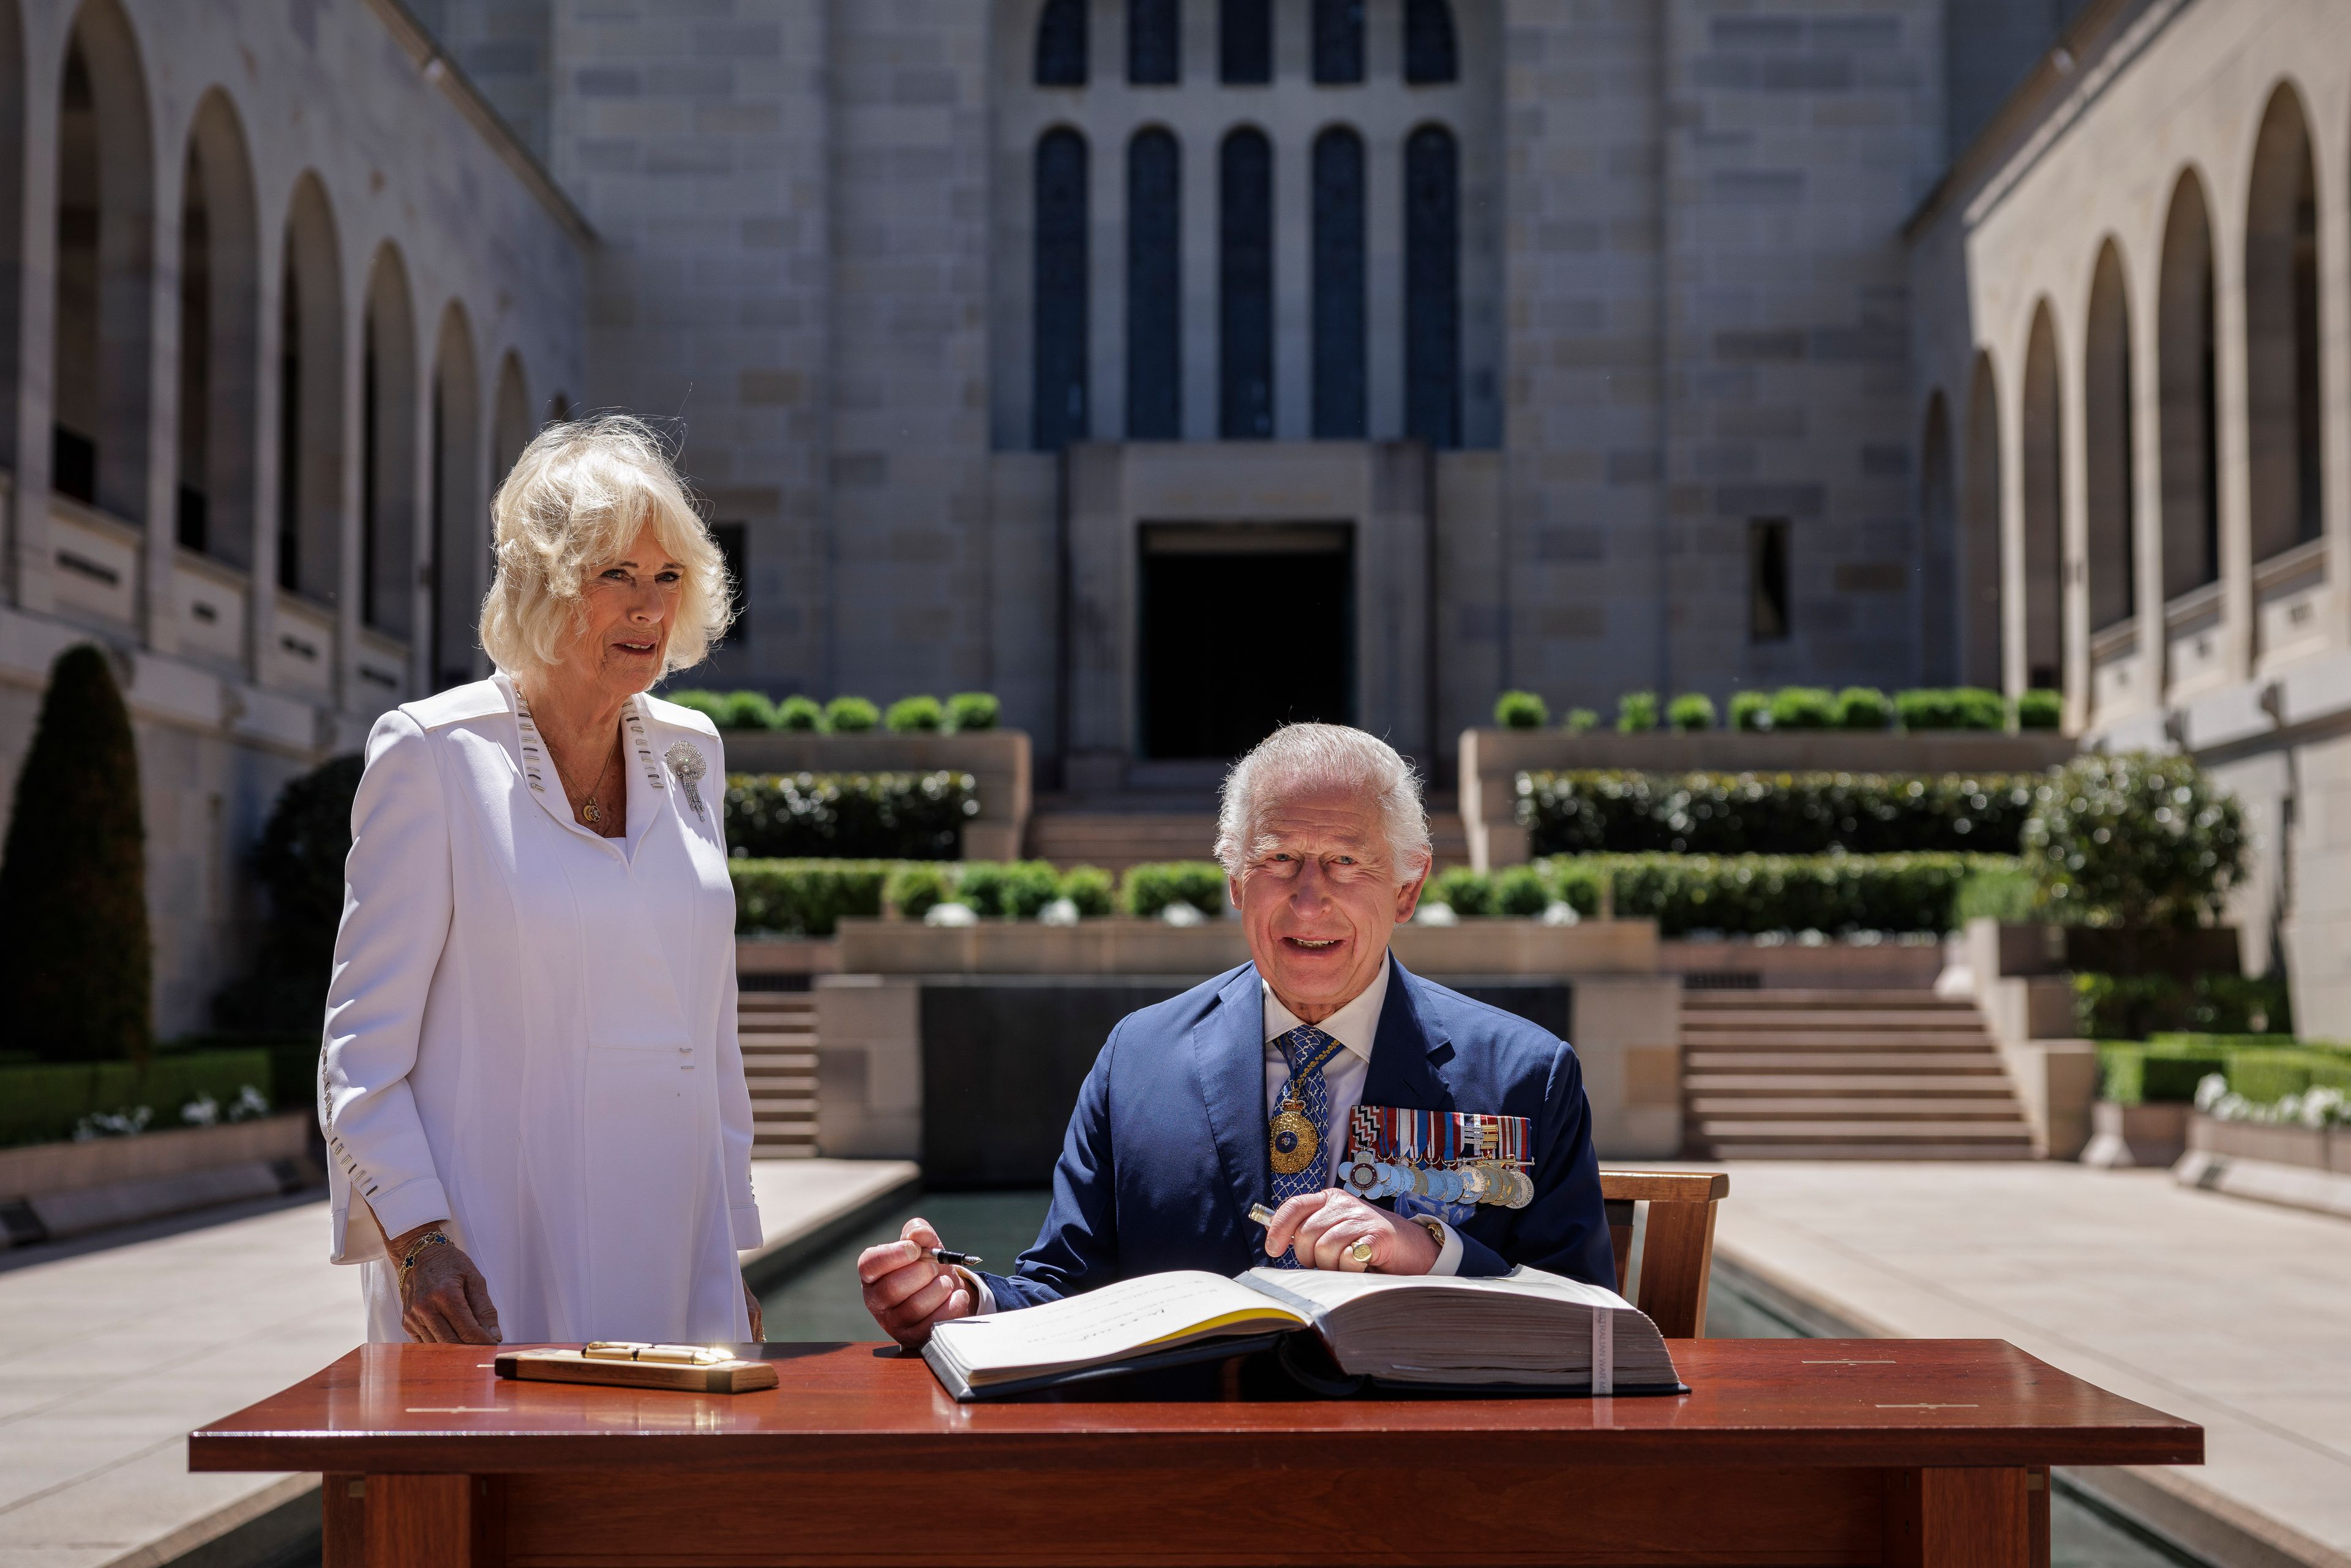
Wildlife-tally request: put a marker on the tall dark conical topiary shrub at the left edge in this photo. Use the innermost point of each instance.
(76, 963)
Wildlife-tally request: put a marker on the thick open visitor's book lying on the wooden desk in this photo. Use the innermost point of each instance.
(1522, 1332)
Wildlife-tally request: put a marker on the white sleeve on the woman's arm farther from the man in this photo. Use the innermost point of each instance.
(396, 920)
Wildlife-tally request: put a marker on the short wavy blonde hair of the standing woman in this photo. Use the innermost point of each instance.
(575, 500)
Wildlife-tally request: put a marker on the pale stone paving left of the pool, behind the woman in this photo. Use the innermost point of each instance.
(112, 1355)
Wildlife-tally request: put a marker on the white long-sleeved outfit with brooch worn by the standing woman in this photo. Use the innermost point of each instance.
(533, 1031)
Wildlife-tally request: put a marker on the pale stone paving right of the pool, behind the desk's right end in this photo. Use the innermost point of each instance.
(2228, 1313)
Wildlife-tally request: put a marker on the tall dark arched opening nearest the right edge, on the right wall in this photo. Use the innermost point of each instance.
(2284, 420)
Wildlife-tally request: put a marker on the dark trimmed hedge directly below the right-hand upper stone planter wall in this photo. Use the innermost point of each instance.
(1774, 815)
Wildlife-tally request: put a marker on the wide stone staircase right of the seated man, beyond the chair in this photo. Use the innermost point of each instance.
(1844, 1076)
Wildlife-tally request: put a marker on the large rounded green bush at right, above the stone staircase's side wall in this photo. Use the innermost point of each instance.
(2136, 840)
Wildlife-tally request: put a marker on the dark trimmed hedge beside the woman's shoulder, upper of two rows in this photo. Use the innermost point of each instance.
(866, 817)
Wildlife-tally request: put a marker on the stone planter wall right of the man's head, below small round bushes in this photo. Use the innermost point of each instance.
(1494, 758)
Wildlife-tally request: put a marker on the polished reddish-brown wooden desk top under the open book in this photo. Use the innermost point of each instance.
(1781, 1402)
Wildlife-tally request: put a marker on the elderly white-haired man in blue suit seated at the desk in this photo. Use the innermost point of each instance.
(1240, 1092)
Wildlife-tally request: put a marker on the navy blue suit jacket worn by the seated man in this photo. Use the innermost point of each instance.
(1167, 1146)
